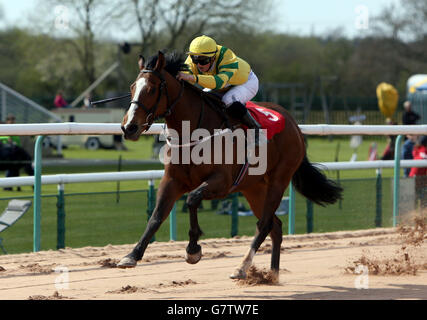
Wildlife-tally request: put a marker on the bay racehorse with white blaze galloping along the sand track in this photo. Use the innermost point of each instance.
(156, 93)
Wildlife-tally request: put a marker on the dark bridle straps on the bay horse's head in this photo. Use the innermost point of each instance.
(151, 112)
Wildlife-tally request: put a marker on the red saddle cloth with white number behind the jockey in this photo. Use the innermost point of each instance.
(269, 119)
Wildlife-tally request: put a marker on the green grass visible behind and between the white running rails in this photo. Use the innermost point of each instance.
(98, 220)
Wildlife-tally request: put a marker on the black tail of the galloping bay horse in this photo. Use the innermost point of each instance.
(313, 184)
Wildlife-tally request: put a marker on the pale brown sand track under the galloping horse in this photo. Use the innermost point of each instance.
(314, 266)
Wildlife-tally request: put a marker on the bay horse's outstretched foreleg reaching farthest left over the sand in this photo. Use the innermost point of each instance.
(167, 194)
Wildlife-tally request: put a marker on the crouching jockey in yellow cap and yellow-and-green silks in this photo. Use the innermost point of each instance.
(216, 67)
